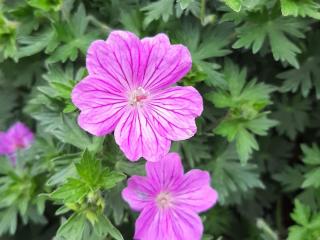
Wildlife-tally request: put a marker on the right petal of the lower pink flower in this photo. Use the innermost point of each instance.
(194, 191)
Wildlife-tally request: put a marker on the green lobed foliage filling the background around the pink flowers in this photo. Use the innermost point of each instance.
(255, 62)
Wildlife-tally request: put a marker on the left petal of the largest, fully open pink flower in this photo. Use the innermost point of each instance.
(101, 103)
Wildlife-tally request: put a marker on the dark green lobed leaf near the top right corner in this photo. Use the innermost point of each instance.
(257, 29)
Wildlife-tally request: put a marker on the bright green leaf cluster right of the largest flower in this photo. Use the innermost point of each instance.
(245, 102)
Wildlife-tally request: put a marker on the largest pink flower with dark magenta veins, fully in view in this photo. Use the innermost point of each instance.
(129, 91)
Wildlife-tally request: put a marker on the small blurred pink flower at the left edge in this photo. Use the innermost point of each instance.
(16, 138)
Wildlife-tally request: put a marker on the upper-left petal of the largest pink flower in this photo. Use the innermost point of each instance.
(119, 58)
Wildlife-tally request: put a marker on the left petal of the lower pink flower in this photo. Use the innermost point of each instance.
(138, 193)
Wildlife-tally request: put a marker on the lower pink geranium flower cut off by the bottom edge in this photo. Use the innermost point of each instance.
(169, 200)
